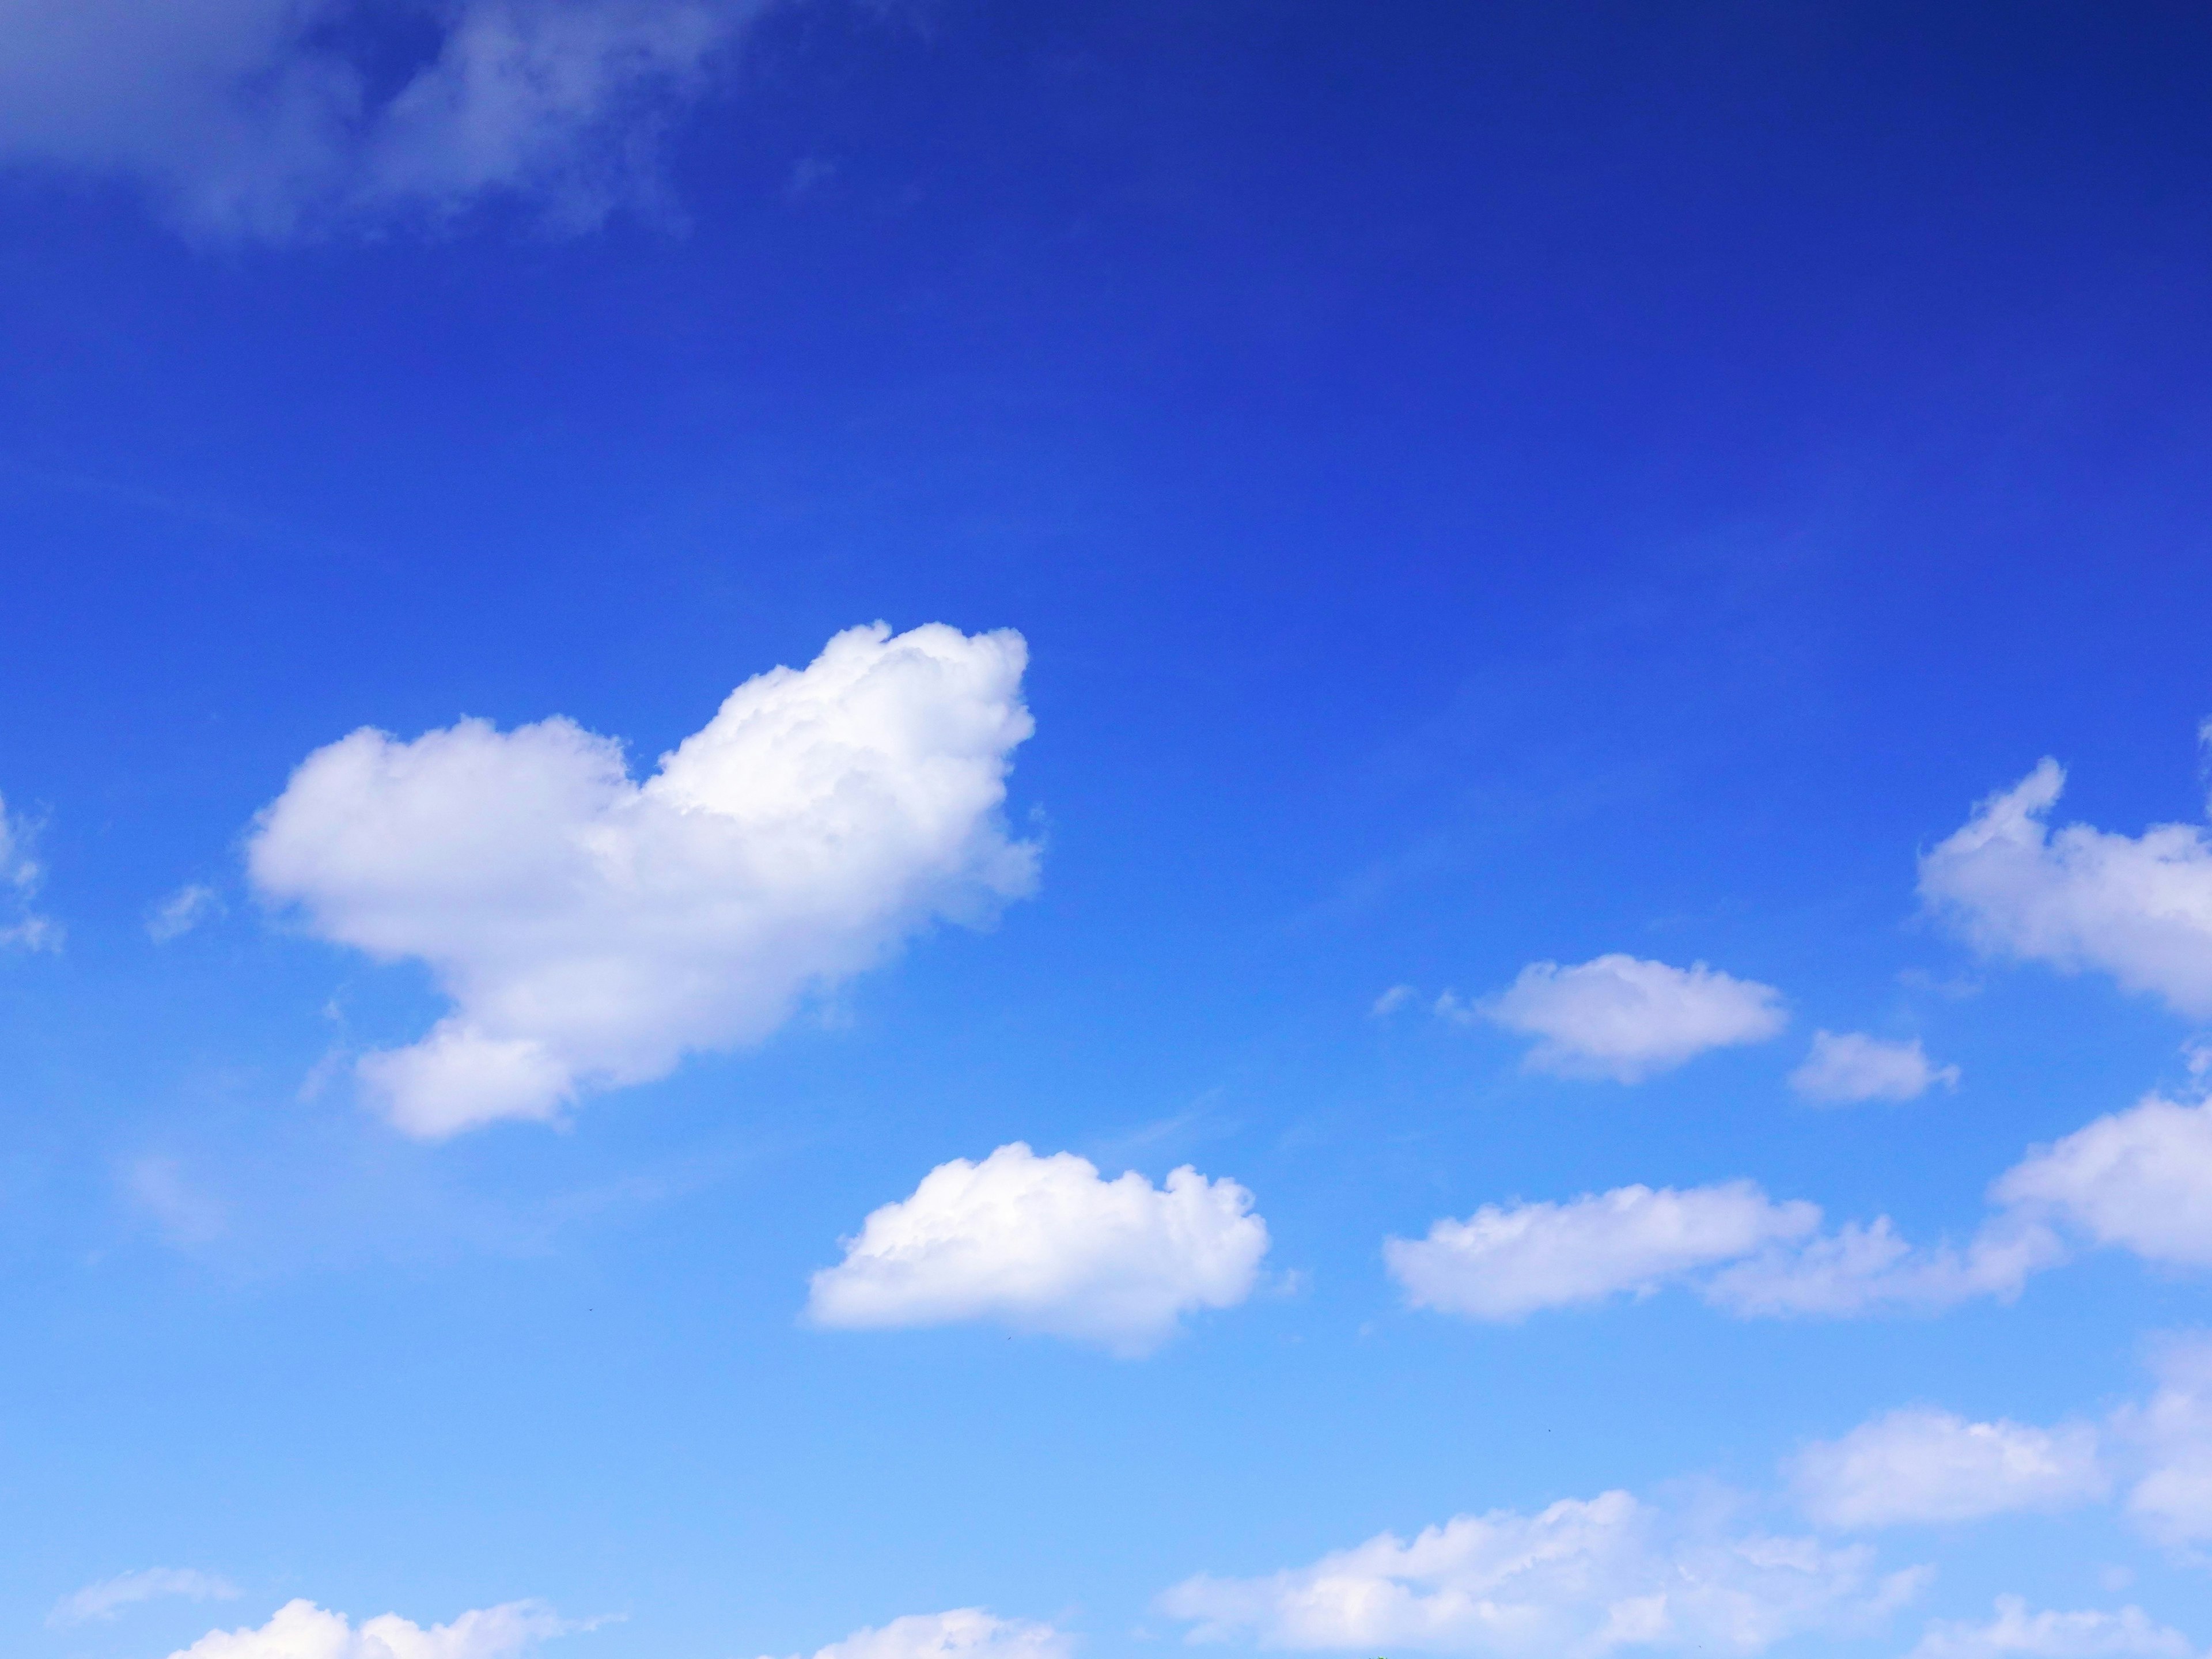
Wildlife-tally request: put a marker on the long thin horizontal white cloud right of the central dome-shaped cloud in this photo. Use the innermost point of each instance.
(1731, 1244)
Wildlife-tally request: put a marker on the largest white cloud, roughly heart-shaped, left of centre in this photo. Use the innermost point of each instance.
(592, 930)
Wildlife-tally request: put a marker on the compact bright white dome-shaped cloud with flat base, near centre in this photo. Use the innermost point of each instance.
(1045, 1244)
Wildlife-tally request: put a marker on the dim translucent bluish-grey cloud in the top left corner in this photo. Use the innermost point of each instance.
(275, 116)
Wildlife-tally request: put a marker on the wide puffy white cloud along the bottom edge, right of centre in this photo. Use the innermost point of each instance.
(1576, 1580)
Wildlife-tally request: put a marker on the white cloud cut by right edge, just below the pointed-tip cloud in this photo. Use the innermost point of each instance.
(2140, 1180)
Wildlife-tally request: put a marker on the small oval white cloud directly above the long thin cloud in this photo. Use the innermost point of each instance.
(1625, 1019)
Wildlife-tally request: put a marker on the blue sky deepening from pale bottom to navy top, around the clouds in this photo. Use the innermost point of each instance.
(1479, 483)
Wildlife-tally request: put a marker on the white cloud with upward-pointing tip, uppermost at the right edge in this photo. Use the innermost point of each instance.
(2140, 908)
